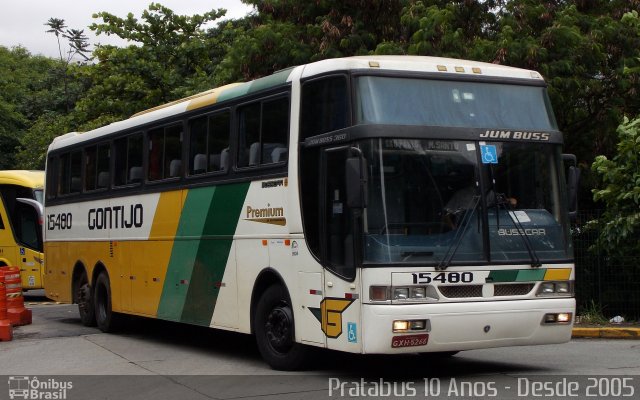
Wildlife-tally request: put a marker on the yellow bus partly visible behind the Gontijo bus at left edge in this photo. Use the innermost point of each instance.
(21, 225)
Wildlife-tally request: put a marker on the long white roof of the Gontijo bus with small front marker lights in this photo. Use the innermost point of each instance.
(437, 65)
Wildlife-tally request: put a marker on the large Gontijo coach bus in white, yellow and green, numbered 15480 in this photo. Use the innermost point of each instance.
(369, 205)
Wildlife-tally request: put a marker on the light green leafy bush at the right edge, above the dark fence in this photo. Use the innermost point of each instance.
(619, 190)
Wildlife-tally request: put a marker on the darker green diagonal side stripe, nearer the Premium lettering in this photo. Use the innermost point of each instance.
(213, 253)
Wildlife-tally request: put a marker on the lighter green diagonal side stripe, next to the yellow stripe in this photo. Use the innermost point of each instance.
(183, 254)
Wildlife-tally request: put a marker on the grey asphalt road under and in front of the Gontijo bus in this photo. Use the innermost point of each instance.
(154, 359)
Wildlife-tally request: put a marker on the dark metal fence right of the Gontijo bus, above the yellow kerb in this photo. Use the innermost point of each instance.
(607, 284)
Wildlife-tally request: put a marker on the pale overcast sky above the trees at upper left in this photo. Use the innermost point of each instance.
(22, 21)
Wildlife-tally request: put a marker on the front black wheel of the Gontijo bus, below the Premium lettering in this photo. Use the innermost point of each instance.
(274, 331)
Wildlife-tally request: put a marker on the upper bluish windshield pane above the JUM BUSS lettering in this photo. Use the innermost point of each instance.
(405, 101)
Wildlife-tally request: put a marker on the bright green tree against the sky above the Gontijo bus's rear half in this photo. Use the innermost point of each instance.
(172, 55)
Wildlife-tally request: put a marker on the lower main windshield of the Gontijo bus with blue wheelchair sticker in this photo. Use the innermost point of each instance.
(437, 201)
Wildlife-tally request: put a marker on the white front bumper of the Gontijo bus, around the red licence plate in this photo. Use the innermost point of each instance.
(465, 326)
